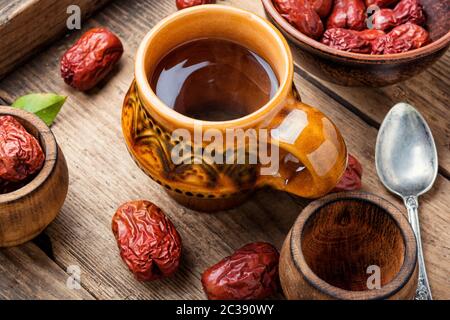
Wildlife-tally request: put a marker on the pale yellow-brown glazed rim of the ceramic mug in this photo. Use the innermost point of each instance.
(149, 97)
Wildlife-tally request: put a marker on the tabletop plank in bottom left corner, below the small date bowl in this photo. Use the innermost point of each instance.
(27, 273)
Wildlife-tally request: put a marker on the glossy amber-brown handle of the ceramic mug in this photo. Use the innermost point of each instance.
(312, 151)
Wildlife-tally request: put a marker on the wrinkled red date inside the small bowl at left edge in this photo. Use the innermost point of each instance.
(20, 153)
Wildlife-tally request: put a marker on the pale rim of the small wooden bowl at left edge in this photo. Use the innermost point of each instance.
(51, 153)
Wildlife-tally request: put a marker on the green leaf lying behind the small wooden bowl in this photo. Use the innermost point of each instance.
(45, 105)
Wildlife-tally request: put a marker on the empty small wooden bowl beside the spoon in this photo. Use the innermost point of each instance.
(340, 244)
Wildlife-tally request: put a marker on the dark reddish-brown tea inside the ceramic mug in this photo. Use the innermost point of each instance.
(214, 80)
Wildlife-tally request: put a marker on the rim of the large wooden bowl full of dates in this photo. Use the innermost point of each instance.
(303, 39)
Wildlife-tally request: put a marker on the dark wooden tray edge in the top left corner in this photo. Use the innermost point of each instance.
(27, 25)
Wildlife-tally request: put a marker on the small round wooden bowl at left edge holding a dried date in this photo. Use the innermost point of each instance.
(27, 211)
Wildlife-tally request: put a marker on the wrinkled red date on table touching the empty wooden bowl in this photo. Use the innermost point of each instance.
(251, 273)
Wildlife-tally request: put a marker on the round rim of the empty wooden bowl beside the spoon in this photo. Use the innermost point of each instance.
(395, 285)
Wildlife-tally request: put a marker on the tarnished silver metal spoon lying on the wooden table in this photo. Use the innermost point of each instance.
(407, 164)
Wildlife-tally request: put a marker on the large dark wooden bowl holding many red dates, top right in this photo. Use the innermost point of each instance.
(354, 69)
